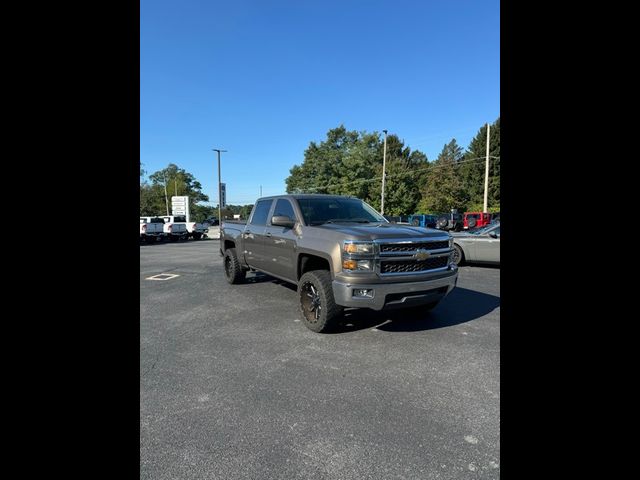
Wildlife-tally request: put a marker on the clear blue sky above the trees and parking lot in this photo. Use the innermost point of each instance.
(262, 79)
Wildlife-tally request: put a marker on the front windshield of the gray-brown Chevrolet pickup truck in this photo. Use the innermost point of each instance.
(317, 211)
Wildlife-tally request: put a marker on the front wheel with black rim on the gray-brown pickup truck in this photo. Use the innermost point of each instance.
(317, 304)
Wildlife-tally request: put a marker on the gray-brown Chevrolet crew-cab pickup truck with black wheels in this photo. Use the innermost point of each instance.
(340, 253)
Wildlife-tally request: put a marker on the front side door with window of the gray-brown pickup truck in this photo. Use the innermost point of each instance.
(280, 242)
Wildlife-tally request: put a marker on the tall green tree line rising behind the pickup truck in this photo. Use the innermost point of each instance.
(350, 163)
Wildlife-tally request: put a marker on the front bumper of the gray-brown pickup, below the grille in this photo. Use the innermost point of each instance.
(394, 295)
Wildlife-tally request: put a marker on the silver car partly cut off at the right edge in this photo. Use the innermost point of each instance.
(481, 246)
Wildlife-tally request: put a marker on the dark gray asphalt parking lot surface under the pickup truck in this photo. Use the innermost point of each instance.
(234, 386)
